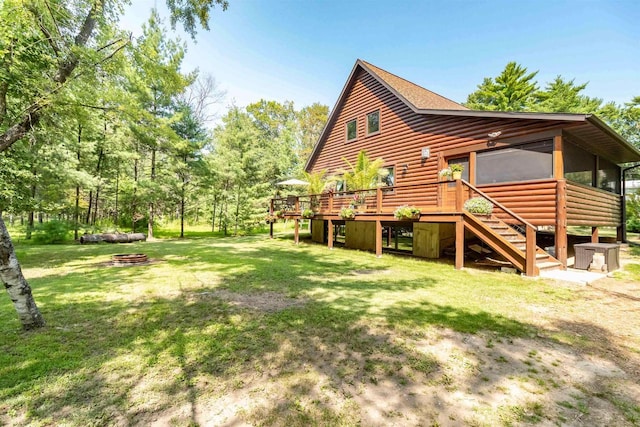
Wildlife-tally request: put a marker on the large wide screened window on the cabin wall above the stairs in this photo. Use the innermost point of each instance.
(521, 163)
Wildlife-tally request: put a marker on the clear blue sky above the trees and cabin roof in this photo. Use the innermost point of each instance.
(303, 51)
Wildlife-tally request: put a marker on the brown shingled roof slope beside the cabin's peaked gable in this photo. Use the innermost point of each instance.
(420, 97)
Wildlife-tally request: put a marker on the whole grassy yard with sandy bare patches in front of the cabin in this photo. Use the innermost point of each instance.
(252, 331)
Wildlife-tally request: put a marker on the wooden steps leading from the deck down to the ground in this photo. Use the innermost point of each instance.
(509, 243)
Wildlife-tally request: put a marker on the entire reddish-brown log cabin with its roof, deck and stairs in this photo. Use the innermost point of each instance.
(541, 171)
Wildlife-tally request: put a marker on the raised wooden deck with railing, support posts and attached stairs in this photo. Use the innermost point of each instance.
(439, 202)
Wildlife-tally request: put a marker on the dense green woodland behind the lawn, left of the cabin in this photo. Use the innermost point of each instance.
(126, 145)
